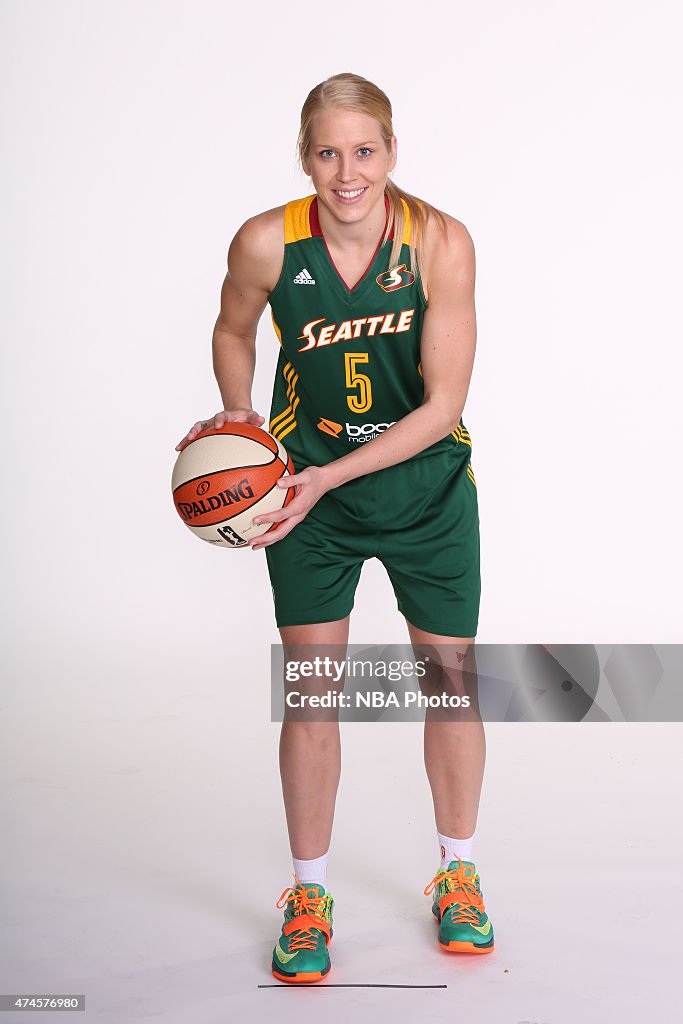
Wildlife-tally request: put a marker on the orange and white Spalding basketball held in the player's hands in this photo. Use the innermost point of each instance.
(226, 478)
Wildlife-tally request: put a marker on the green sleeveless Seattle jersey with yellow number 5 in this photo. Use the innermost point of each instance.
(350, 359)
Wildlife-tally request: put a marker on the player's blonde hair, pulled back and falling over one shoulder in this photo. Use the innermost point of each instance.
(352, 93)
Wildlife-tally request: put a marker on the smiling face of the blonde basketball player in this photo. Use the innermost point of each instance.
(349, 162)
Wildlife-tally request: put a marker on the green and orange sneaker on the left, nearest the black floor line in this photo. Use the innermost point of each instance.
(302, 953)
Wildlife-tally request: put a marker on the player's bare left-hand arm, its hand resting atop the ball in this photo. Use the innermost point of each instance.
(254, 262)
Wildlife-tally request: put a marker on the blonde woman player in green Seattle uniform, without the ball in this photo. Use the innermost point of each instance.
(377, 340)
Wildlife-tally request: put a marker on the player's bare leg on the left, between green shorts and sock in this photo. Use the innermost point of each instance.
(311, 759)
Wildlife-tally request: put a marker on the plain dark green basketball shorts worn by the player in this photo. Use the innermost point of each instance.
(420, 519)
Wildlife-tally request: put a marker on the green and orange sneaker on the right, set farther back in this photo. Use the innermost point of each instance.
(458, 908)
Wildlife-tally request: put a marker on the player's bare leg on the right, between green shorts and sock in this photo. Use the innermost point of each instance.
(455, 753)
